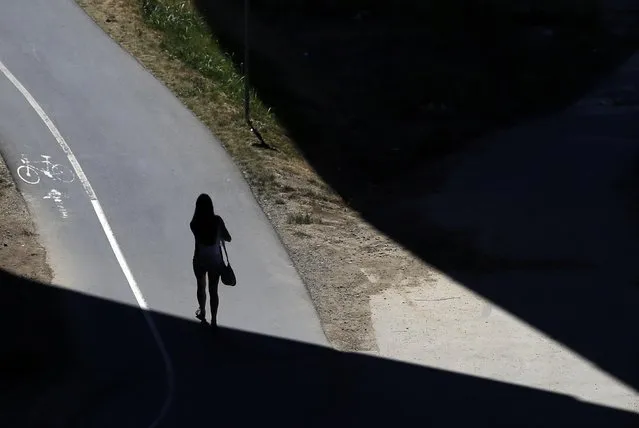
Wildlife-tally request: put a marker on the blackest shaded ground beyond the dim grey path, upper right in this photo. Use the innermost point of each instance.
(369, 89)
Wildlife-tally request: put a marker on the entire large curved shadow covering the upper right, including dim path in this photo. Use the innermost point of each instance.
(401, 108)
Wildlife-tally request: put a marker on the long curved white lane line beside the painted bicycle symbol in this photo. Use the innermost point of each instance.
(110, 237)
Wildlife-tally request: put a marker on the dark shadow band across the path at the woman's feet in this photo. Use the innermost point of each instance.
(71, 360)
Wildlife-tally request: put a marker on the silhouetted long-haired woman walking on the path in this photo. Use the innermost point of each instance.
(209, 230)
